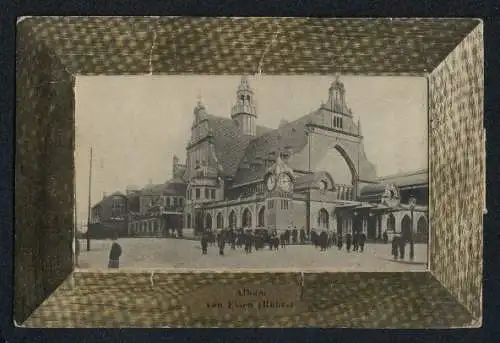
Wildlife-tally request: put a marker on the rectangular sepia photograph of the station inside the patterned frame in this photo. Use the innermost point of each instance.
(252, 172)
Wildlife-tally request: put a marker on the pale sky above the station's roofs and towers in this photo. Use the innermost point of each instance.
(135, 124)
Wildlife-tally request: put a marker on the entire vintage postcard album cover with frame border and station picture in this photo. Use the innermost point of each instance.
(249, 172)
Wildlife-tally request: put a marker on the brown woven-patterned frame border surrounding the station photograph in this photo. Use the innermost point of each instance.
(52, 50)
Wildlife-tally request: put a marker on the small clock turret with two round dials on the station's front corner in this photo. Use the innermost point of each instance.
(279, 194)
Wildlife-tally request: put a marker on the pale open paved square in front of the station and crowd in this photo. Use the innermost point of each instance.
(169, 253)
